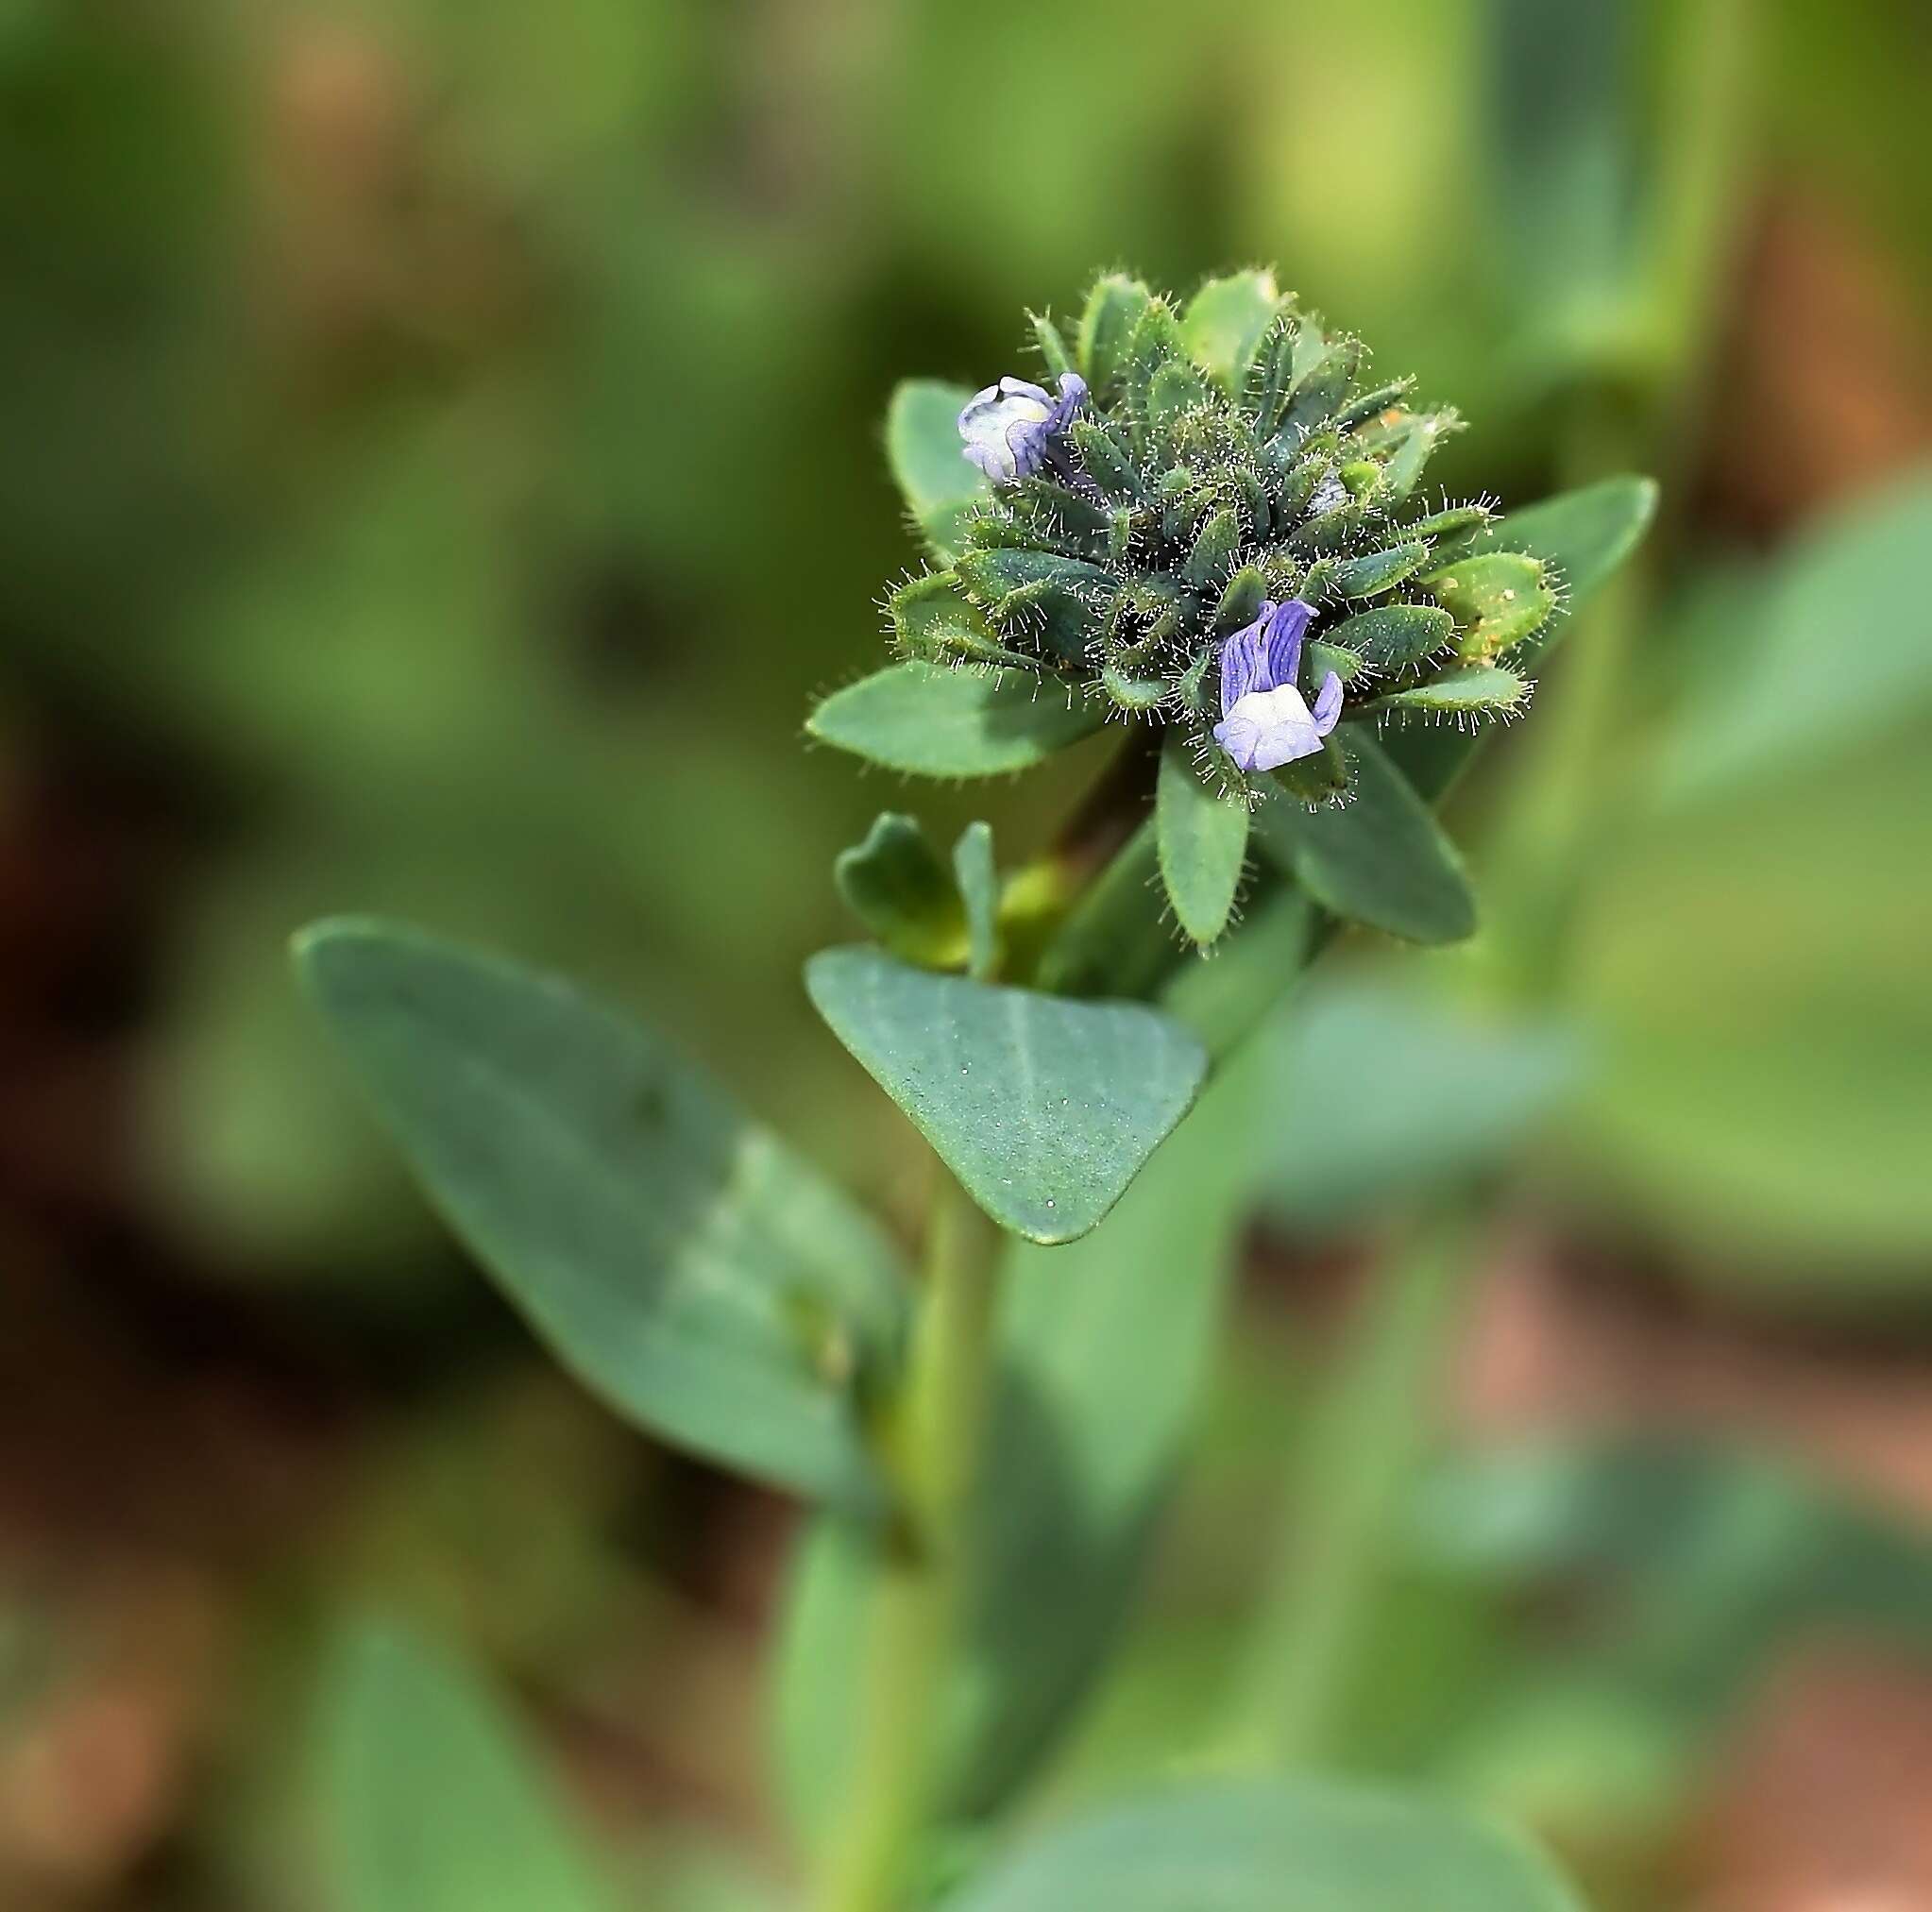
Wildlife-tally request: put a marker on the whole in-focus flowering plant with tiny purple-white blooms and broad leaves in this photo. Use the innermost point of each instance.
(1210, 530)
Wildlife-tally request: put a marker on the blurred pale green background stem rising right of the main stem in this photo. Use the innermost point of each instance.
(1346, 1496)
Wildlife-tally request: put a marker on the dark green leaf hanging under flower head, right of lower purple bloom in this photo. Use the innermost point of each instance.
(1382, 858)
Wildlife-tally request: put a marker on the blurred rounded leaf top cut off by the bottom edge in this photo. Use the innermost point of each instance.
(1274, 1845)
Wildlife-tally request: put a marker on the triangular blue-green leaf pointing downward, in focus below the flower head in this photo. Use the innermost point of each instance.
(1044, 1110)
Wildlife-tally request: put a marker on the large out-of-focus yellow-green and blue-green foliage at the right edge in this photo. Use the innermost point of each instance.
(1755, 953)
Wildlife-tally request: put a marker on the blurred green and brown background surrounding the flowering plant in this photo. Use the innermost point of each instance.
(441, 464)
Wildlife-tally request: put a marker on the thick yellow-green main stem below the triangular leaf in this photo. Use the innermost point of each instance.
(917, 1596)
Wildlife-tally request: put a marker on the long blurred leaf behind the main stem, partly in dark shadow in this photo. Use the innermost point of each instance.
(1104, 1349)
